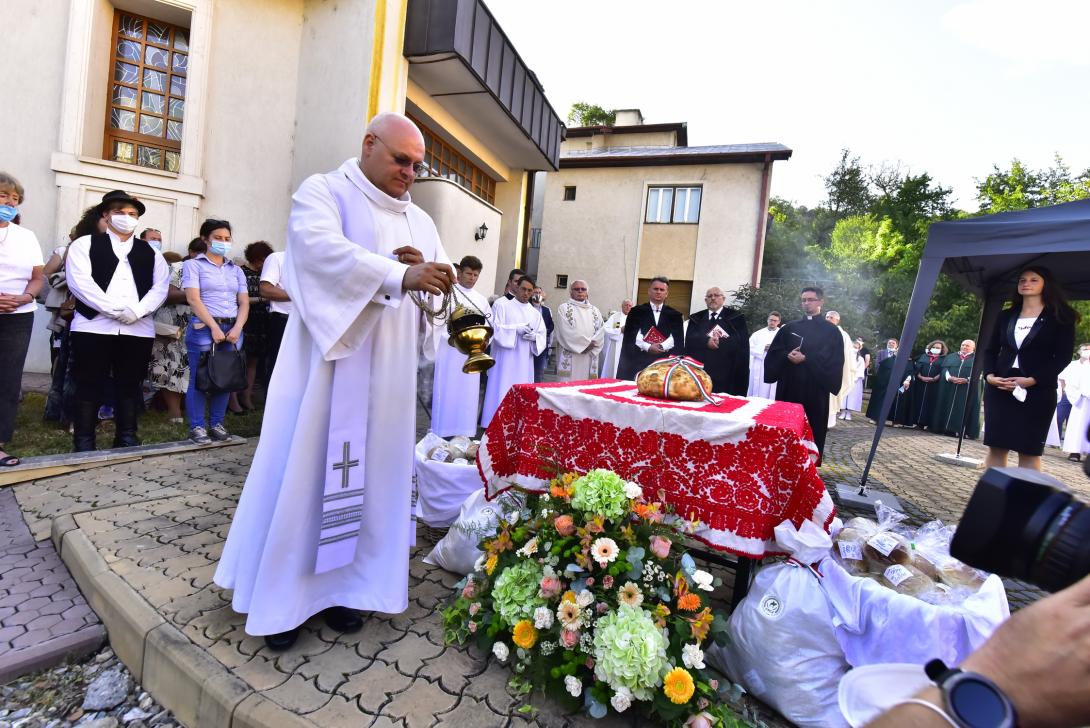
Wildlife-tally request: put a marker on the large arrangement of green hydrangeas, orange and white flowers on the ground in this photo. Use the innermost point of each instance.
(587, 593)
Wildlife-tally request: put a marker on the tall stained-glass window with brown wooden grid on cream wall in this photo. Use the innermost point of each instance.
(147, 93)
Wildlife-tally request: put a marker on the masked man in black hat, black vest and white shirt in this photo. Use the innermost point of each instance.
(118, 282)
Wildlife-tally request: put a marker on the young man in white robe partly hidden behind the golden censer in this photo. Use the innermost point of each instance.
(456, 396)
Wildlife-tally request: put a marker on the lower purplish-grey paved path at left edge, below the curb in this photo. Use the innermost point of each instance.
(44, 617)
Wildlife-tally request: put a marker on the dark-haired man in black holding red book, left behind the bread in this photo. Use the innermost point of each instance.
(652, 332)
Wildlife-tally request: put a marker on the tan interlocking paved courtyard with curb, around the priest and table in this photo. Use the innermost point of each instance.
(155, 529)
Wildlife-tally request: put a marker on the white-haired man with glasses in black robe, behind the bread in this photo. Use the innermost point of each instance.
(719, 338)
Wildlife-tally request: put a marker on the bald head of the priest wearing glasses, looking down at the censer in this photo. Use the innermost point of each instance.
(392, 148)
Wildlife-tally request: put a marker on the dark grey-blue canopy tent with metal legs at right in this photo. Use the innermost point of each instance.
(985, 256)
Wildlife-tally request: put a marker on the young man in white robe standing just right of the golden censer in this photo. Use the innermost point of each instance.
(518, 336)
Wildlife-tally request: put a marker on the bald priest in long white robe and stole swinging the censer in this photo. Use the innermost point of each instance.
(324, 523)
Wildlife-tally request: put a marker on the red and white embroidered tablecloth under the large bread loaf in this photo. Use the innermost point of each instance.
(737, 468)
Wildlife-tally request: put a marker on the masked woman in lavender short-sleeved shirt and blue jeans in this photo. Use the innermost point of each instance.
(216, 290)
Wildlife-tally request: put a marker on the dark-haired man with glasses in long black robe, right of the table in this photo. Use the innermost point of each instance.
(813, 380)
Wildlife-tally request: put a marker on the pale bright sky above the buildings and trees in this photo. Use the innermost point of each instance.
(946, 88)
